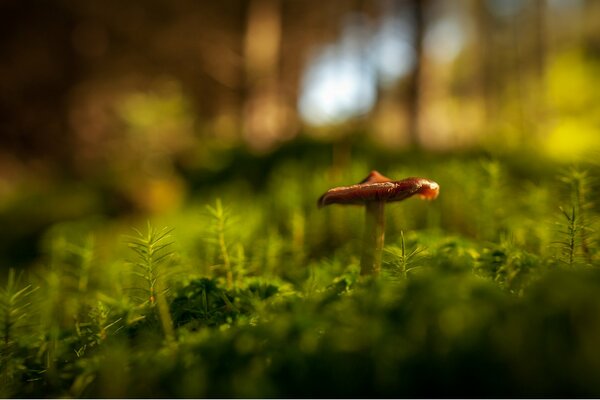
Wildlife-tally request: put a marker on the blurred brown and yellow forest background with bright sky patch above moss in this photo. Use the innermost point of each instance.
(131, 108)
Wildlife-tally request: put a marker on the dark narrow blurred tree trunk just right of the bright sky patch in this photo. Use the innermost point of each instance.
(414, 87)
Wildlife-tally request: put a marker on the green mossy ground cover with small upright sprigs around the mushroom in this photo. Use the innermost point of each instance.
(250, 290)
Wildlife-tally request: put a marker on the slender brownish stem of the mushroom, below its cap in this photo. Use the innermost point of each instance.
(370, 263)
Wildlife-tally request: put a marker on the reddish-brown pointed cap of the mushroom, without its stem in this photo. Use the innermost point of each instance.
(376, 187)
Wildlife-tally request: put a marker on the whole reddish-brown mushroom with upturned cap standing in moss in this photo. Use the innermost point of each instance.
(373, 192)
